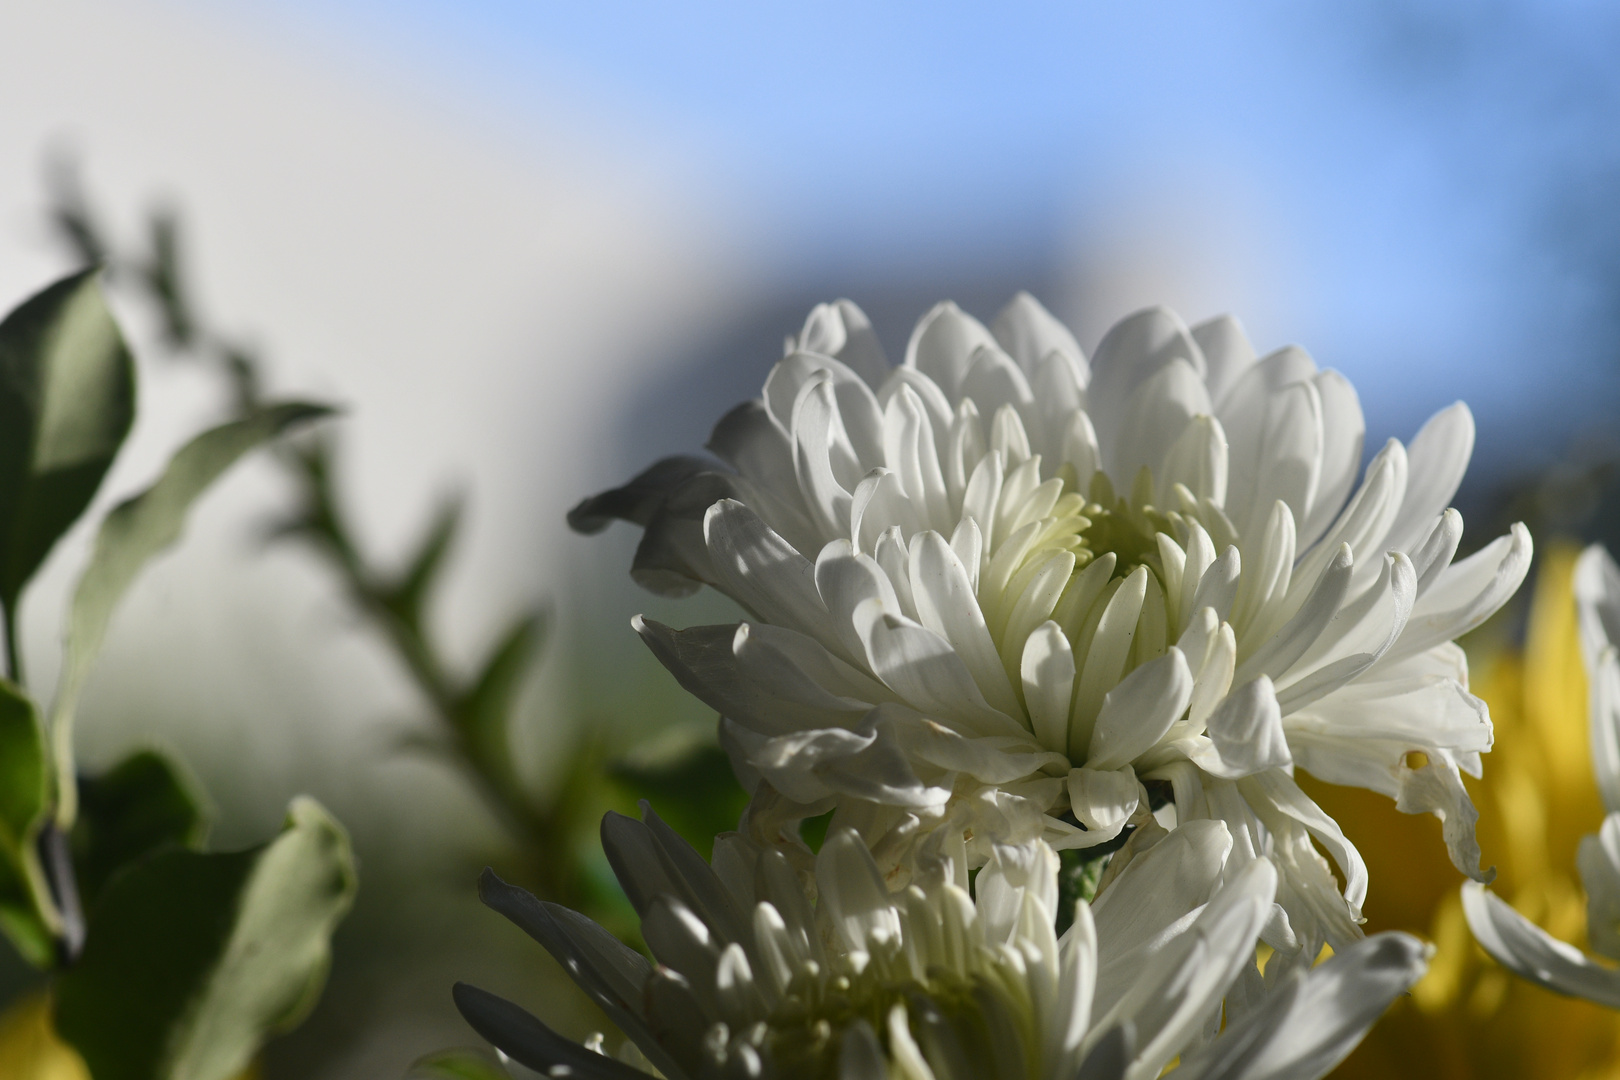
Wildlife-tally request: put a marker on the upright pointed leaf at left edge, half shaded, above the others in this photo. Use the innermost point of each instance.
(67, 399)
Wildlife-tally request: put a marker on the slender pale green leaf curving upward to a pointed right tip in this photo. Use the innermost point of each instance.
(130, 535)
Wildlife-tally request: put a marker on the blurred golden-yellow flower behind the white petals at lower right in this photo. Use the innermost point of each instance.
(1469, 1018)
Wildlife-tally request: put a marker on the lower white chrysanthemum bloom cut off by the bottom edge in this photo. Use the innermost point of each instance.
(769, 972)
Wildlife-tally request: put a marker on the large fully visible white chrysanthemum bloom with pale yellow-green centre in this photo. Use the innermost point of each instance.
(997, 587)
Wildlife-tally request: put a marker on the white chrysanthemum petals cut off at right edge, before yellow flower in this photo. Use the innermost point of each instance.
(1517, 943)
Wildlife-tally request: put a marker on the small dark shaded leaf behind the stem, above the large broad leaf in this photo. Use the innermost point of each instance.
(137, 807)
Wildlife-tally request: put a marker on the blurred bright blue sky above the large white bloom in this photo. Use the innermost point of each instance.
(1439, 174)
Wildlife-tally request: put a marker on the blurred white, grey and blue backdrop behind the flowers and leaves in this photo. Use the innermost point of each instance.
(531, 247)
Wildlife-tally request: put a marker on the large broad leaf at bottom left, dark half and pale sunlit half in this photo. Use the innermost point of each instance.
(194, 961)
